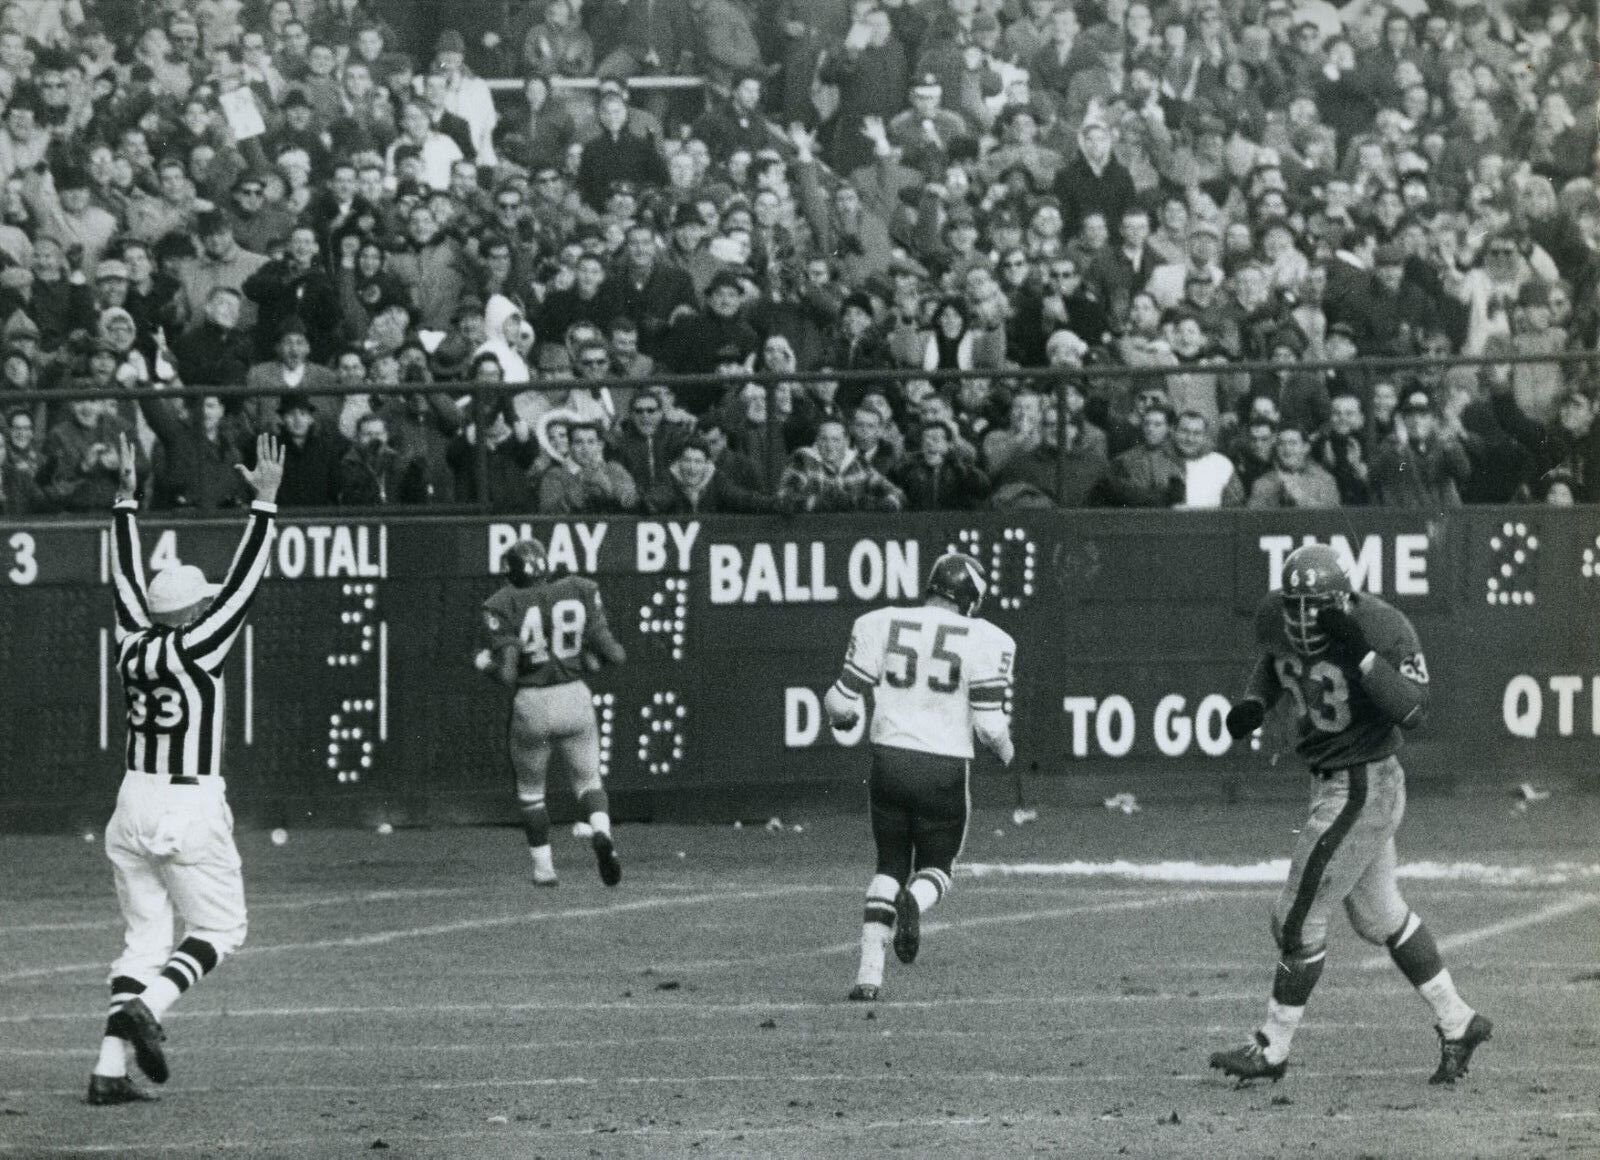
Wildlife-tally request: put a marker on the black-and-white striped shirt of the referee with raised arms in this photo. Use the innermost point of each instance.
(174, 676)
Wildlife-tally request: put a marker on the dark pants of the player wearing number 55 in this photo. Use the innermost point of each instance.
(921, 806)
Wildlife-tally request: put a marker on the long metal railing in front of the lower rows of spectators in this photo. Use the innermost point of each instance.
(489, 398)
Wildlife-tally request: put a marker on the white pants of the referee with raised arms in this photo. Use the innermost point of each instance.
(174, 857)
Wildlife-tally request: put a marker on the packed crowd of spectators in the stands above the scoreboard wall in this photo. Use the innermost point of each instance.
(303, 196)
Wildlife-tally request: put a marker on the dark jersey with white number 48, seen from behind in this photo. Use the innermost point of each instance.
(550, 625)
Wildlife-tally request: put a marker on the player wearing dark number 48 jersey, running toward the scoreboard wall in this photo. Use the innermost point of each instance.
(545, 633)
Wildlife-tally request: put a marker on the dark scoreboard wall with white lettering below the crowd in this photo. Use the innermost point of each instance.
(351, 697)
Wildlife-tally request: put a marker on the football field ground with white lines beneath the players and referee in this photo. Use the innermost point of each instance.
(414, 996)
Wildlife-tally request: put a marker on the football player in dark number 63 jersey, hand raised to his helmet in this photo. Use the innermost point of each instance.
(1354, 673)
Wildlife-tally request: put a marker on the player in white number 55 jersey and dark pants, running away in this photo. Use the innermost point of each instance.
(938, 674)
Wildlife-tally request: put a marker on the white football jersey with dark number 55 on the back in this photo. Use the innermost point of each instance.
(929, 670)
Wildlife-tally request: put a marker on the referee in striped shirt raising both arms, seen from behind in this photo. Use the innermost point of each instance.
(172, 836)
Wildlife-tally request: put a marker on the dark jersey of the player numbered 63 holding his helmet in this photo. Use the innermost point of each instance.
(1340, 726)
